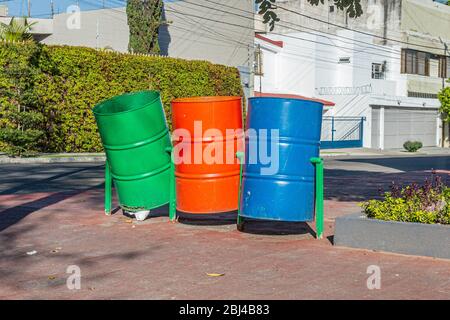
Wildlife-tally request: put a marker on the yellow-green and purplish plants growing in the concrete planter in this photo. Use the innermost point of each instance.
(428, 203)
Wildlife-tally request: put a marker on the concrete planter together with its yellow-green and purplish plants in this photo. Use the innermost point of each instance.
(410, 220)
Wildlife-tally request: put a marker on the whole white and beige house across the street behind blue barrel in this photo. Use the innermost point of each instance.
(390, 87)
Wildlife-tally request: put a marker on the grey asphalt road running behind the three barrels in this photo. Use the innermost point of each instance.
(60, 177)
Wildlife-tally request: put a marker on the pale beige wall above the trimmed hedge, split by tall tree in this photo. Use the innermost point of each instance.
(194, 30)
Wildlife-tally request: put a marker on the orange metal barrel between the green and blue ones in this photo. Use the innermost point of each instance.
(207, 134)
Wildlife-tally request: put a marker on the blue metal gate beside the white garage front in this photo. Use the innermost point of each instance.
(342, 132)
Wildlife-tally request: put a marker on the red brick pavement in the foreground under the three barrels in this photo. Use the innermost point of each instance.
(156, 259)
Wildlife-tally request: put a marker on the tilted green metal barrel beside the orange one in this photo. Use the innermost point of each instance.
(135, 137)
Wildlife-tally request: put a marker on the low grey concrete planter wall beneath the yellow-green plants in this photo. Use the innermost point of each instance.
(358, 231)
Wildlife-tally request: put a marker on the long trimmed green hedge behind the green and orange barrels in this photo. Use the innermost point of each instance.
(71, 80)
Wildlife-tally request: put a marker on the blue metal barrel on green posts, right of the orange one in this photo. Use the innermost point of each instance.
(288, 193)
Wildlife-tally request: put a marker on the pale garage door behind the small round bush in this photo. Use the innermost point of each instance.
(402, 124)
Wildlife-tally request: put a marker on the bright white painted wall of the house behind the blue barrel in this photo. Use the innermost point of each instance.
(308, 62)
